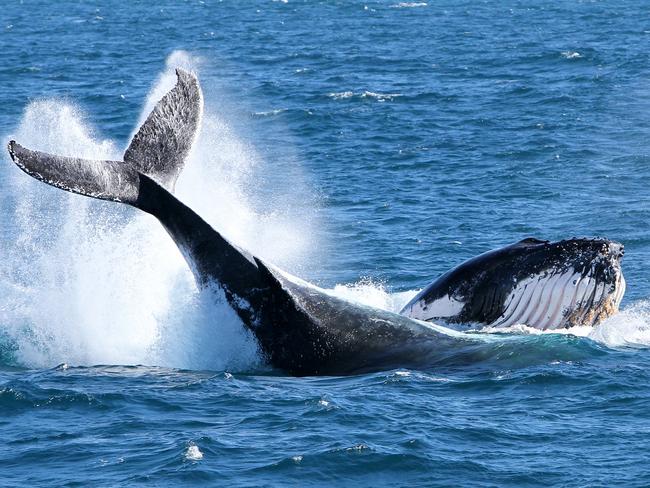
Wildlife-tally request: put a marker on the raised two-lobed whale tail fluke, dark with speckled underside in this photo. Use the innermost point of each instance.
(158, 150)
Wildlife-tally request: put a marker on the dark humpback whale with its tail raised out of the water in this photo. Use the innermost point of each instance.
(301, 329)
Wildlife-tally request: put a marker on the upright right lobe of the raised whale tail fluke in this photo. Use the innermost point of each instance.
(164, 140)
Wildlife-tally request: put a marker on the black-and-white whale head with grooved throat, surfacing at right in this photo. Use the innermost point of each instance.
(542, 284)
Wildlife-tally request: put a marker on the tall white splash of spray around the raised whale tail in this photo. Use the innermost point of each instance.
(87, 282)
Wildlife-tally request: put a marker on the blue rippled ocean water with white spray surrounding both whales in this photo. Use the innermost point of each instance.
(367, 147)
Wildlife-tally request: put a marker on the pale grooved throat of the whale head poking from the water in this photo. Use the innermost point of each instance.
(580, 293)
